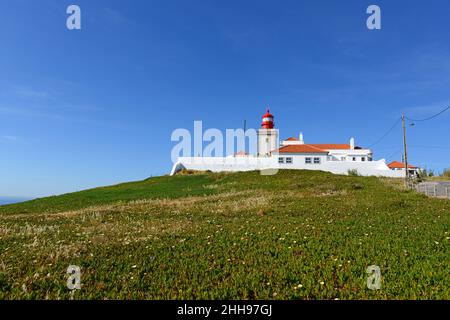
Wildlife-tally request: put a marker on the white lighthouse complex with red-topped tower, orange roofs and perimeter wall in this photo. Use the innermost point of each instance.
(293, 153)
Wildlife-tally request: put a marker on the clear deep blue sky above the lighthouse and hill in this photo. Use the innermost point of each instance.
(93, 107)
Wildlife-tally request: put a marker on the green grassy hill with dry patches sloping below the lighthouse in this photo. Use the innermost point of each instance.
(294, 235)
